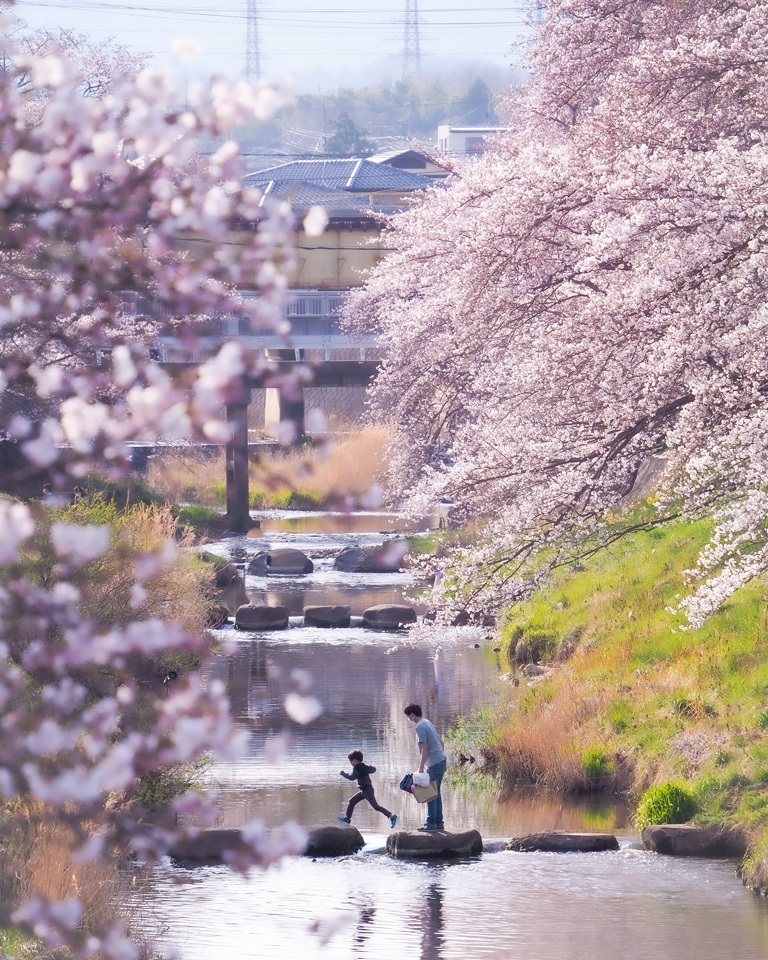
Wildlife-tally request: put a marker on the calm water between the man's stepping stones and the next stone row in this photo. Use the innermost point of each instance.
(363, 679)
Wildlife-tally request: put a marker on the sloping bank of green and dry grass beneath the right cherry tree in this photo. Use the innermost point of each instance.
(630, 698)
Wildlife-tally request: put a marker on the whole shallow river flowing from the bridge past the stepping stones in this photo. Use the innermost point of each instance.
(629, 904)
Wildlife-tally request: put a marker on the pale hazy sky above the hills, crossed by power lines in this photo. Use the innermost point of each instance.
(320, 43)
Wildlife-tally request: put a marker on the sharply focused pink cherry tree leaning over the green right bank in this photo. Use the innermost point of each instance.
(588, 294)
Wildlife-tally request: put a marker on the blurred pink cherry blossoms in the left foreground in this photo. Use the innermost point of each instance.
(105, 210)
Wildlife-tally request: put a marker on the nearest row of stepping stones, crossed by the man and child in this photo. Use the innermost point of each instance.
(685, 840)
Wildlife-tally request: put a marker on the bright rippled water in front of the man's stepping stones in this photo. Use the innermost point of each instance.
(630, 905)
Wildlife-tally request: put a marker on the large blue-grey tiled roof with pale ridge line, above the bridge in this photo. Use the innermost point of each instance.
(349, 176)
